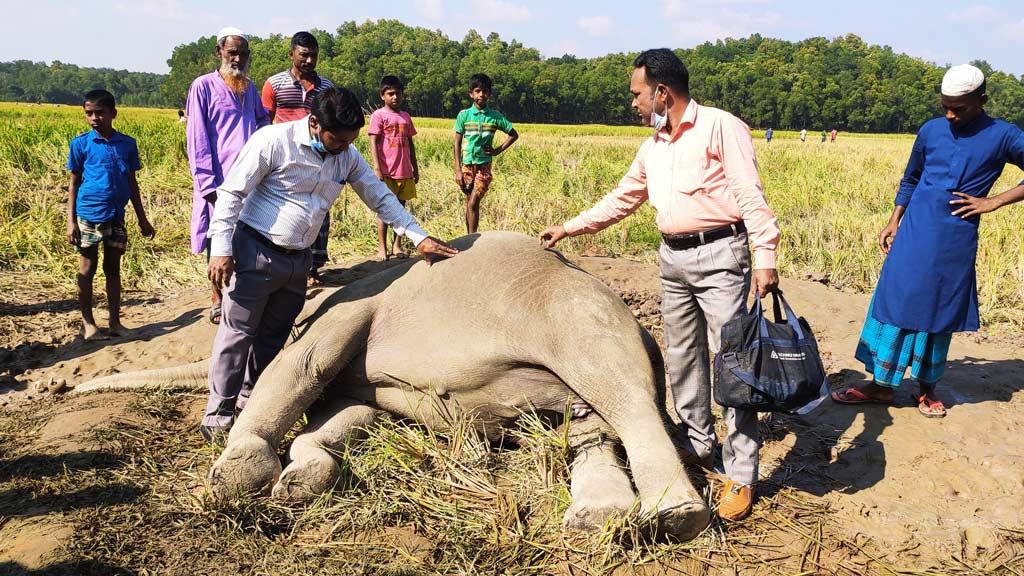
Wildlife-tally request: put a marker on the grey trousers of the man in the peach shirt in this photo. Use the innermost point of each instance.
(702, 290)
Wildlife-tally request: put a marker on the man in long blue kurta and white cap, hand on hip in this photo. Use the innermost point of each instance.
(928, 287)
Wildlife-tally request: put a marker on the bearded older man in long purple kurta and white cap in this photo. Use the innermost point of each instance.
(224, 110)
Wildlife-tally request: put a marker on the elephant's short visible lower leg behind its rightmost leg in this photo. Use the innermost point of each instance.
(600, 483)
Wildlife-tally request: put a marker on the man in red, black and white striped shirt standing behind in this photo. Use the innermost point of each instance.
(288, 96)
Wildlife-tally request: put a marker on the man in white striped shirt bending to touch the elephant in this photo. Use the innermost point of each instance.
(269, 211)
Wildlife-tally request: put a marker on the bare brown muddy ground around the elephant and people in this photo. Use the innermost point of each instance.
(919, 492)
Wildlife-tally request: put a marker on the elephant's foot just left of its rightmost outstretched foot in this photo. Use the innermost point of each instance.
(601, 488)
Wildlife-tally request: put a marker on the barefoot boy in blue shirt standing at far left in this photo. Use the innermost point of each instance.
(103, 164)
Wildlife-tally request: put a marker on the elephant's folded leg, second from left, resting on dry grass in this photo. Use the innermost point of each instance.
(314, 469)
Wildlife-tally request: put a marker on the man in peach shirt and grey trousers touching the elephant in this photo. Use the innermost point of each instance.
(700, 174)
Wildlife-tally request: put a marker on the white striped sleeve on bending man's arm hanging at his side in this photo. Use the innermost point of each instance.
(252, 164)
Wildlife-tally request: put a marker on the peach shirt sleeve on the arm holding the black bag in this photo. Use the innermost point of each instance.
(740, 162)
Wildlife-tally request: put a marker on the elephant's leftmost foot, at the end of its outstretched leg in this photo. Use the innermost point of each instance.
(249, 465)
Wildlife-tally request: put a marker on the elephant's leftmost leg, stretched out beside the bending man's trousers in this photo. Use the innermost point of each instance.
(284, 392)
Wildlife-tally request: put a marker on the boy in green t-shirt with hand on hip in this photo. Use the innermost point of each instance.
(475, 135)
